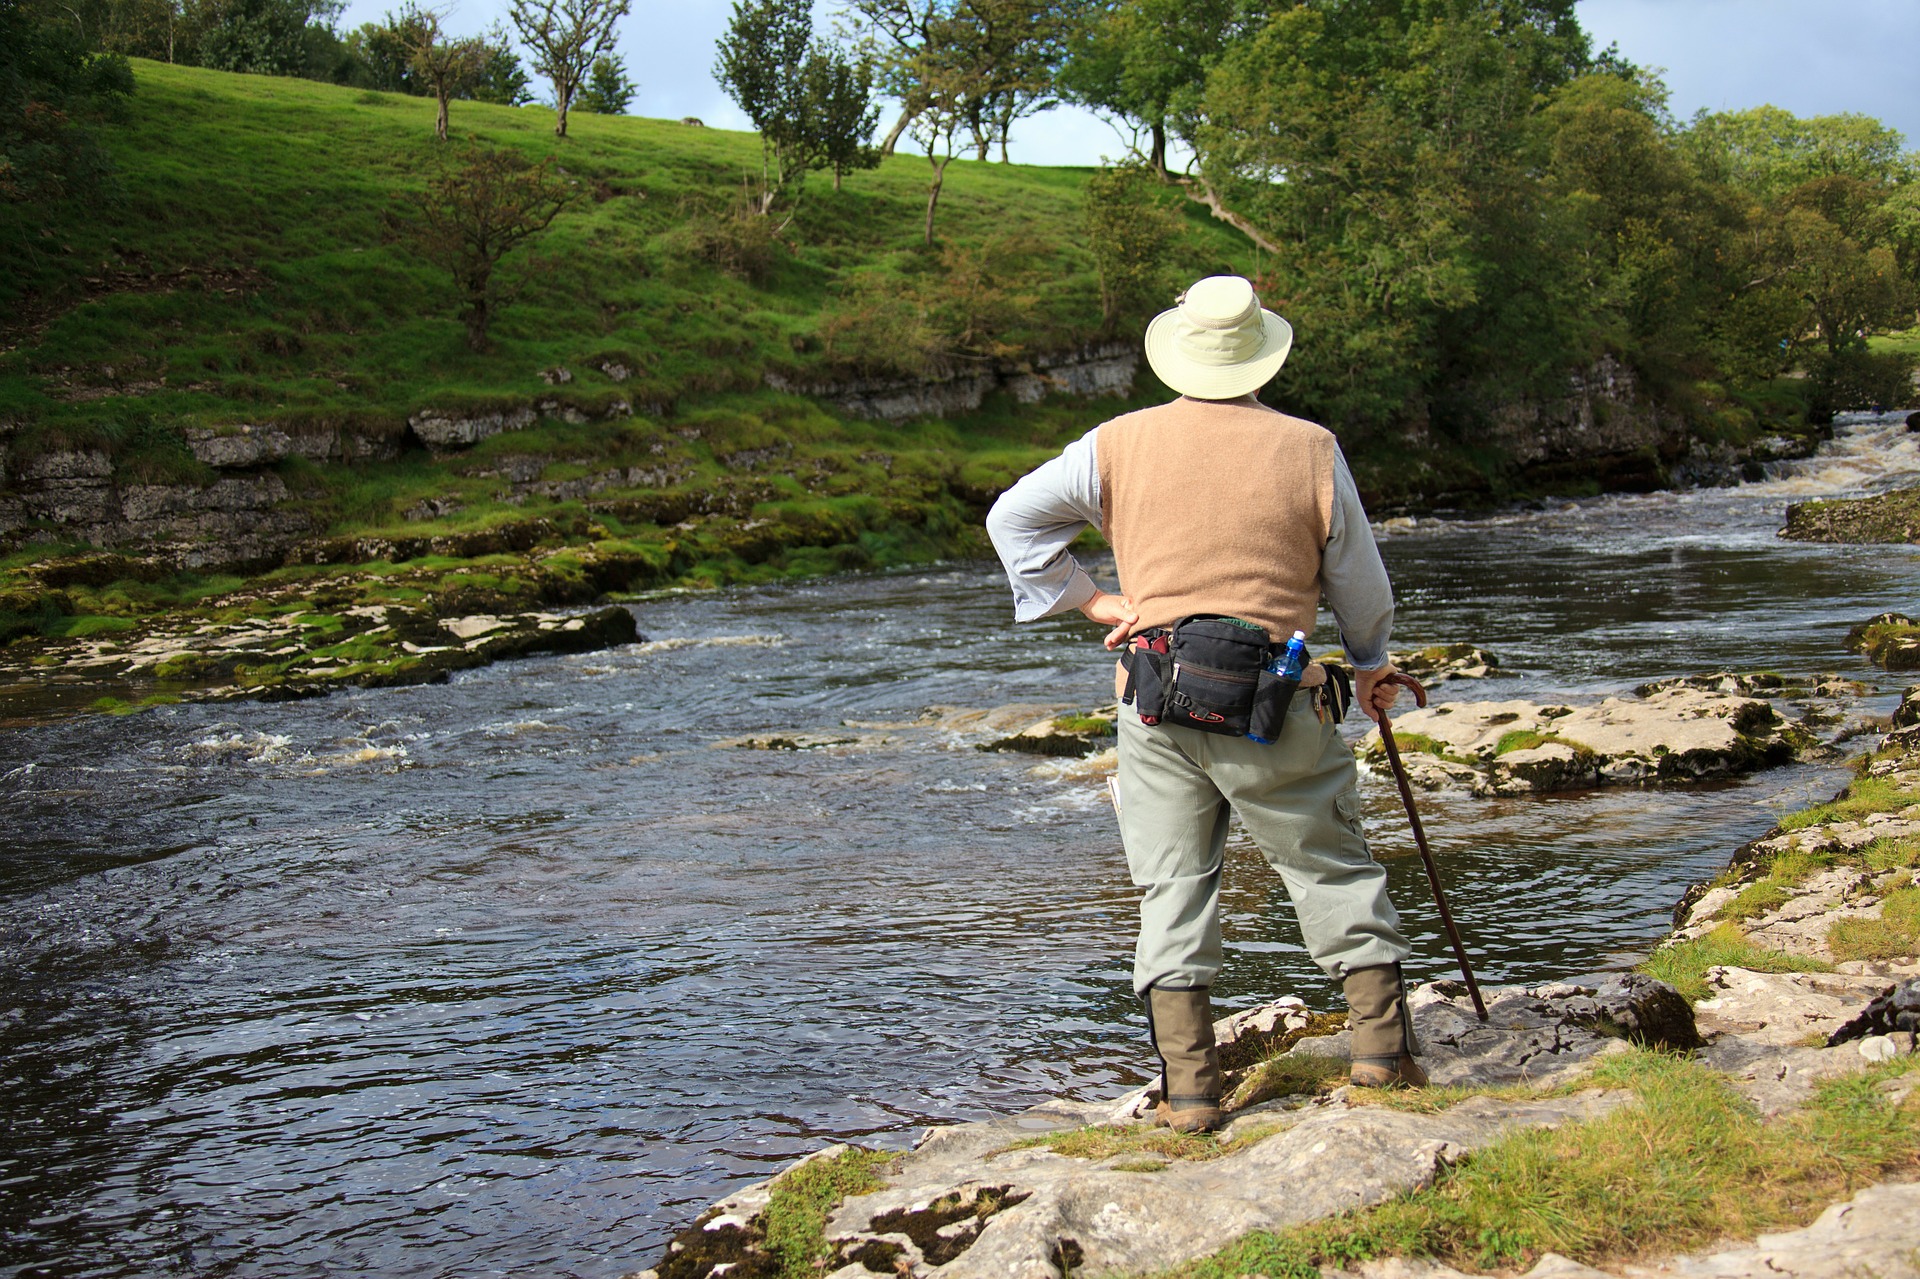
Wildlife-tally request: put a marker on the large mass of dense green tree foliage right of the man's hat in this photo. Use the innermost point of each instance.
(1460, 208)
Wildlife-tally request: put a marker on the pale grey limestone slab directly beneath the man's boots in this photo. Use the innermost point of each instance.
(1061, 1188)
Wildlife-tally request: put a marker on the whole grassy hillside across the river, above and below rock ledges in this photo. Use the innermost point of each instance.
(256, 268)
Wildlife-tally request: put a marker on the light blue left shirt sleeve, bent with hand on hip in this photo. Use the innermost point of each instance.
(1034, 523)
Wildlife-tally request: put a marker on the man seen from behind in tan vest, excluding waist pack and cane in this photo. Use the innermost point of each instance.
(1220, 506)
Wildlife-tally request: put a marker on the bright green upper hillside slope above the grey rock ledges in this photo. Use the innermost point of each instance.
(258, 264)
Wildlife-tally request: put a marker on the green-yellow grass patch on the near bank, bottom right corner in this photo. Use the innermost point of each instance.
(1683, 1167)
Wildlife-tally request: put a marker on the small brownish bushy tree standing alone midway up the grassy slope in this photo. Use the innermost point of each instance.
(475, 214)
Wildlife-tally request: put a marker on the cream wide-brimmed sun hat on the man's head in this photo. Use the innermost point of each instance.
(1218, 343)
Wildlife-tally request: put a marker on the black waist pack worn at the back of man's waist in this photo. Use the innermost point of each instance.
(1209, 673)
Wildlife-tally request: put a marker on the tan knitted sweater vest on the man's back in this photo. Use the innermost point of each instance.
(1218, 508)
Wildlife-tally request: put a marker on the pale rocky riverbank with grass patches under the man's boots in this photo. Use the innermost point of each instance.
(1788, 978)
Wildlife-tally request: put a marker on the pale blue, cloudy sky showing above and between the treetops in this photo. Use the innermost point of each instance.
(1808, 57)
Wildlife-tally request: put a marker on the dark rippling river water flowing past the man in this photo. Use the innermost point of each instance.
(516, 975)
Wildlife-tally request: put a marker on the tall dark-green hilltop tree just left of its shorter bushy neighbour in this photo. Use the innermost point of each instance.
(763, 68)
